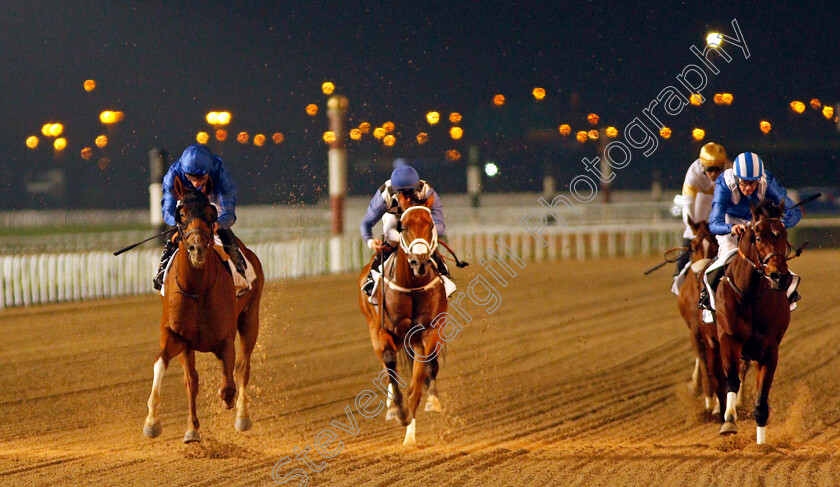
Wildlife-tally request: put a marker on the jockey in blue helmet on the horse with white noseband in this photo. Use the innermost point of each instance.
(384, 206)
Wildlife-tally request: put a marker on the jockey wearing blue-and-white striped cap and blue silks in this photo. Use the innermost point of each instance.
(745, 184)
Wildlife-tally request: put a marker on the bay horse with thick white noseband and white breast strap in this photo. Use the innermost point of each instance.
(414, 300)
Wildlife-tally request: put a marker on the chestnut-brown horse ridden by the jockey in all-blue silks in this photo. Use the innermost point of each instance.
(201, 312)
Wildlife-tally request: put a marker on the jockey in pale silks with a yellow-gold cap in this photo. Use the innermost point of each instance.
(698, 189)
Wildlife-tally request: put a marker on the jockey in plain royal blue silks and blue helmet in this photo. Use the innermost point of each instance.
(194, 169)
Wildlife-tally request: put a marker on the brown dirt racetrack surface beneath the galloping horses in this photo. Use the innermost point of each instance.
(577, 379)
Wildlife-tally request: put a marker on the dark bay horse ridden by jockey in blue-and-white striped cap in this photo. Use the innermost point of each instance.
(753, 311)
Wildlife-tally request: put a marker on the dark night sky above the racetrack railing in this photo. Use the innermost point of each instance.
(166, 64)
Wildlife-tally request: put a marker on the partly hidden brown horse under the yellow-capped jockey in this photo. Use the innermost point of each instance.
(703, 248)
